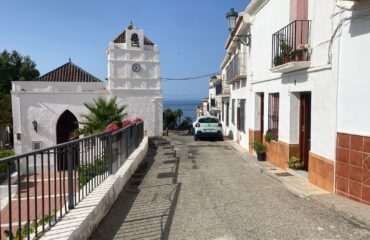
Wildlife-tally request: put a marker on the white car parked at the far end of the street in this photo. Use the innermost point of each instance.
(207, 127)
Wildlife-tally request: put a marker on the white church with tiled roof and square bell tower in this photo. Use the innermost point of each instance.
(47, 110)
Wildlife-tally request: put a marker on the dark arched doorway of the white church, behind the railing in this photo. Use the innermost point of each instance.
(66, 125)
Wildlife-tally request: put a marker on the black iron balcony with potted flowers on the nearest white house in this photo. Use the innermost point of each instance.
(291, 47)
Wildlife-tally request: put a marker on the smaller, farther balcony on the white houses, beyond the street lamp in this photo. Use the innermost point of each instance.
(236, 69)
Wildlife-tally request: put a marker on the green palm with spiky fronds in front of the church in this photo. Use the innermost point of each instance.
(101, 113)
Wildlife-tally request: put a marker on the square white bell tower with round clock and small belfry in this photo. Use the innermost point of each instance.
(134, 77)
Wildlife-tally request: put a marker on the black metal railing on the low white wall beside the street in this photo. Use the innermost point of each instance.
(45, 184)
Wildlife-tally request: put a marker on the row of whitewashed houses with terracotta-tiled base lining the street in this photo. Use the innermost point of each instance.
(306, 80)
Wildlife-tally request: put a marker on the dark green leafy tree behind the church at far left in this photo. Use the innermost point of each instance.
(15, 67)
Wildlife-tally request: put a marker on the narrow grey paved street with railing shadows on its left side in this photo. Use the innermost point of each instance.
(209, 192)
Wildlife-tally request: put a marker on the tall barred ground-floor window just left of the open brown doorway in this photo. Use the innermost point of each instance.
(273, 121)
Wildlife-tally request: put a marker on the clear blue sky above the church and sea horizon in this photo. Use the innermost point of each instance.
(191, 35)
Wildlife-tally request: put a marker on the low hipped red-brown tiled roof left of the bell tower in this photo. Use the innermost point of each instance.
(68, 73)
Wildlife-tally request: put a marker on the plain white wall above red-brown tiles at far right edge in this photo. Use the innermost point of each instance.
(354, 72)
